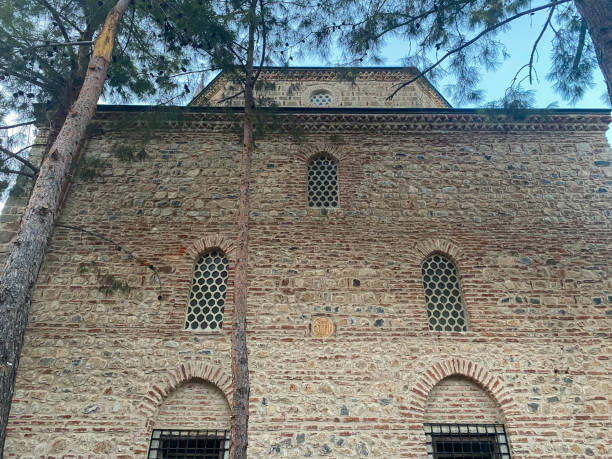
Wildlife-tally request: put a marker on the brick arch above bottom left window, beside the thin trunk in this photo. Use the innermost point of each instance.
(187, 371)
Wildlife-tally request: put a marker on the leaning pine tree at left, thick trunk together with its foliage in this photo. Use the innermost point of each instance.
(74, 83)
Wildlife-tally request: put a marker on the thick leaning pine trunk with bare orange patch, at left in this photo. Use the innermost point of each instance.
(23, 264)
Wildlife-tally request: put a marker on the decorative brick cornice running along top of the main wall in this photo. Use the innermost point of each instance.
(372, 122)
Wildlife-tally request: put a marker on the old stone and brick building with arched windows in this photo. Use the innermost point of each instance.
(422, 279)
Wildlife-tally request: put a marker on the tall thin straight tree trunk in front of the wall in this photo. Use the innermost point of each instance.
(240, 358)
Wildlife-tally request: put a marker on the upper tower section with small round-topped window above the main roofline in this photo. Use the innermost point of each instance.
(321, 87)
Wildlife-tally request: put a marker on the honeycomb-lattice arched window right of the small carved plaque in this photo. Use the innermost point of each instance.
(445, 311)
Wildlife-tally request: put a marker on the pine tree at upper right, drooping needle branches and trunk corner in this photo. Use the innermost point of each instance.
(461, 35)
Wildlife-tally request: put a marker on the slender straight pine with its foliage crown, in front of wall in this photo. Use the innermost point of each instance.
(248, 35)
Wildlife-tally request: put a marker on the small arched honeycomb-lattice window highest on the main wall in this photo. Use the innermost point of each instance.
(322, 182)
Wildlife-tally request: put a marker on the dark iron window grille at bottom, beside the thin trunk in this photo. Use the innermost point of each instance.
(184, 444)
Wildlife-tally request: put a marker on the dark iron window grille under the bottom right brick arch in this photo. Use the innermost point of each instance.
(473, 441)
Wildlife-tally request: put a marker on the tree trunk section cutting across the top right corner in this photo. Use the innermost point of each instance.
(598, 16)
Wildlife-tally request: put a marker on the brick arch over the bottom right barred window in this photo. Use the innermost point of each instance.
(491, 384)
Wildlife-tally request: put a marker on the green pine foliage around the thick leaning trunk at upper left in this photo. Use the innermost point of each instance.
(43, 60)
